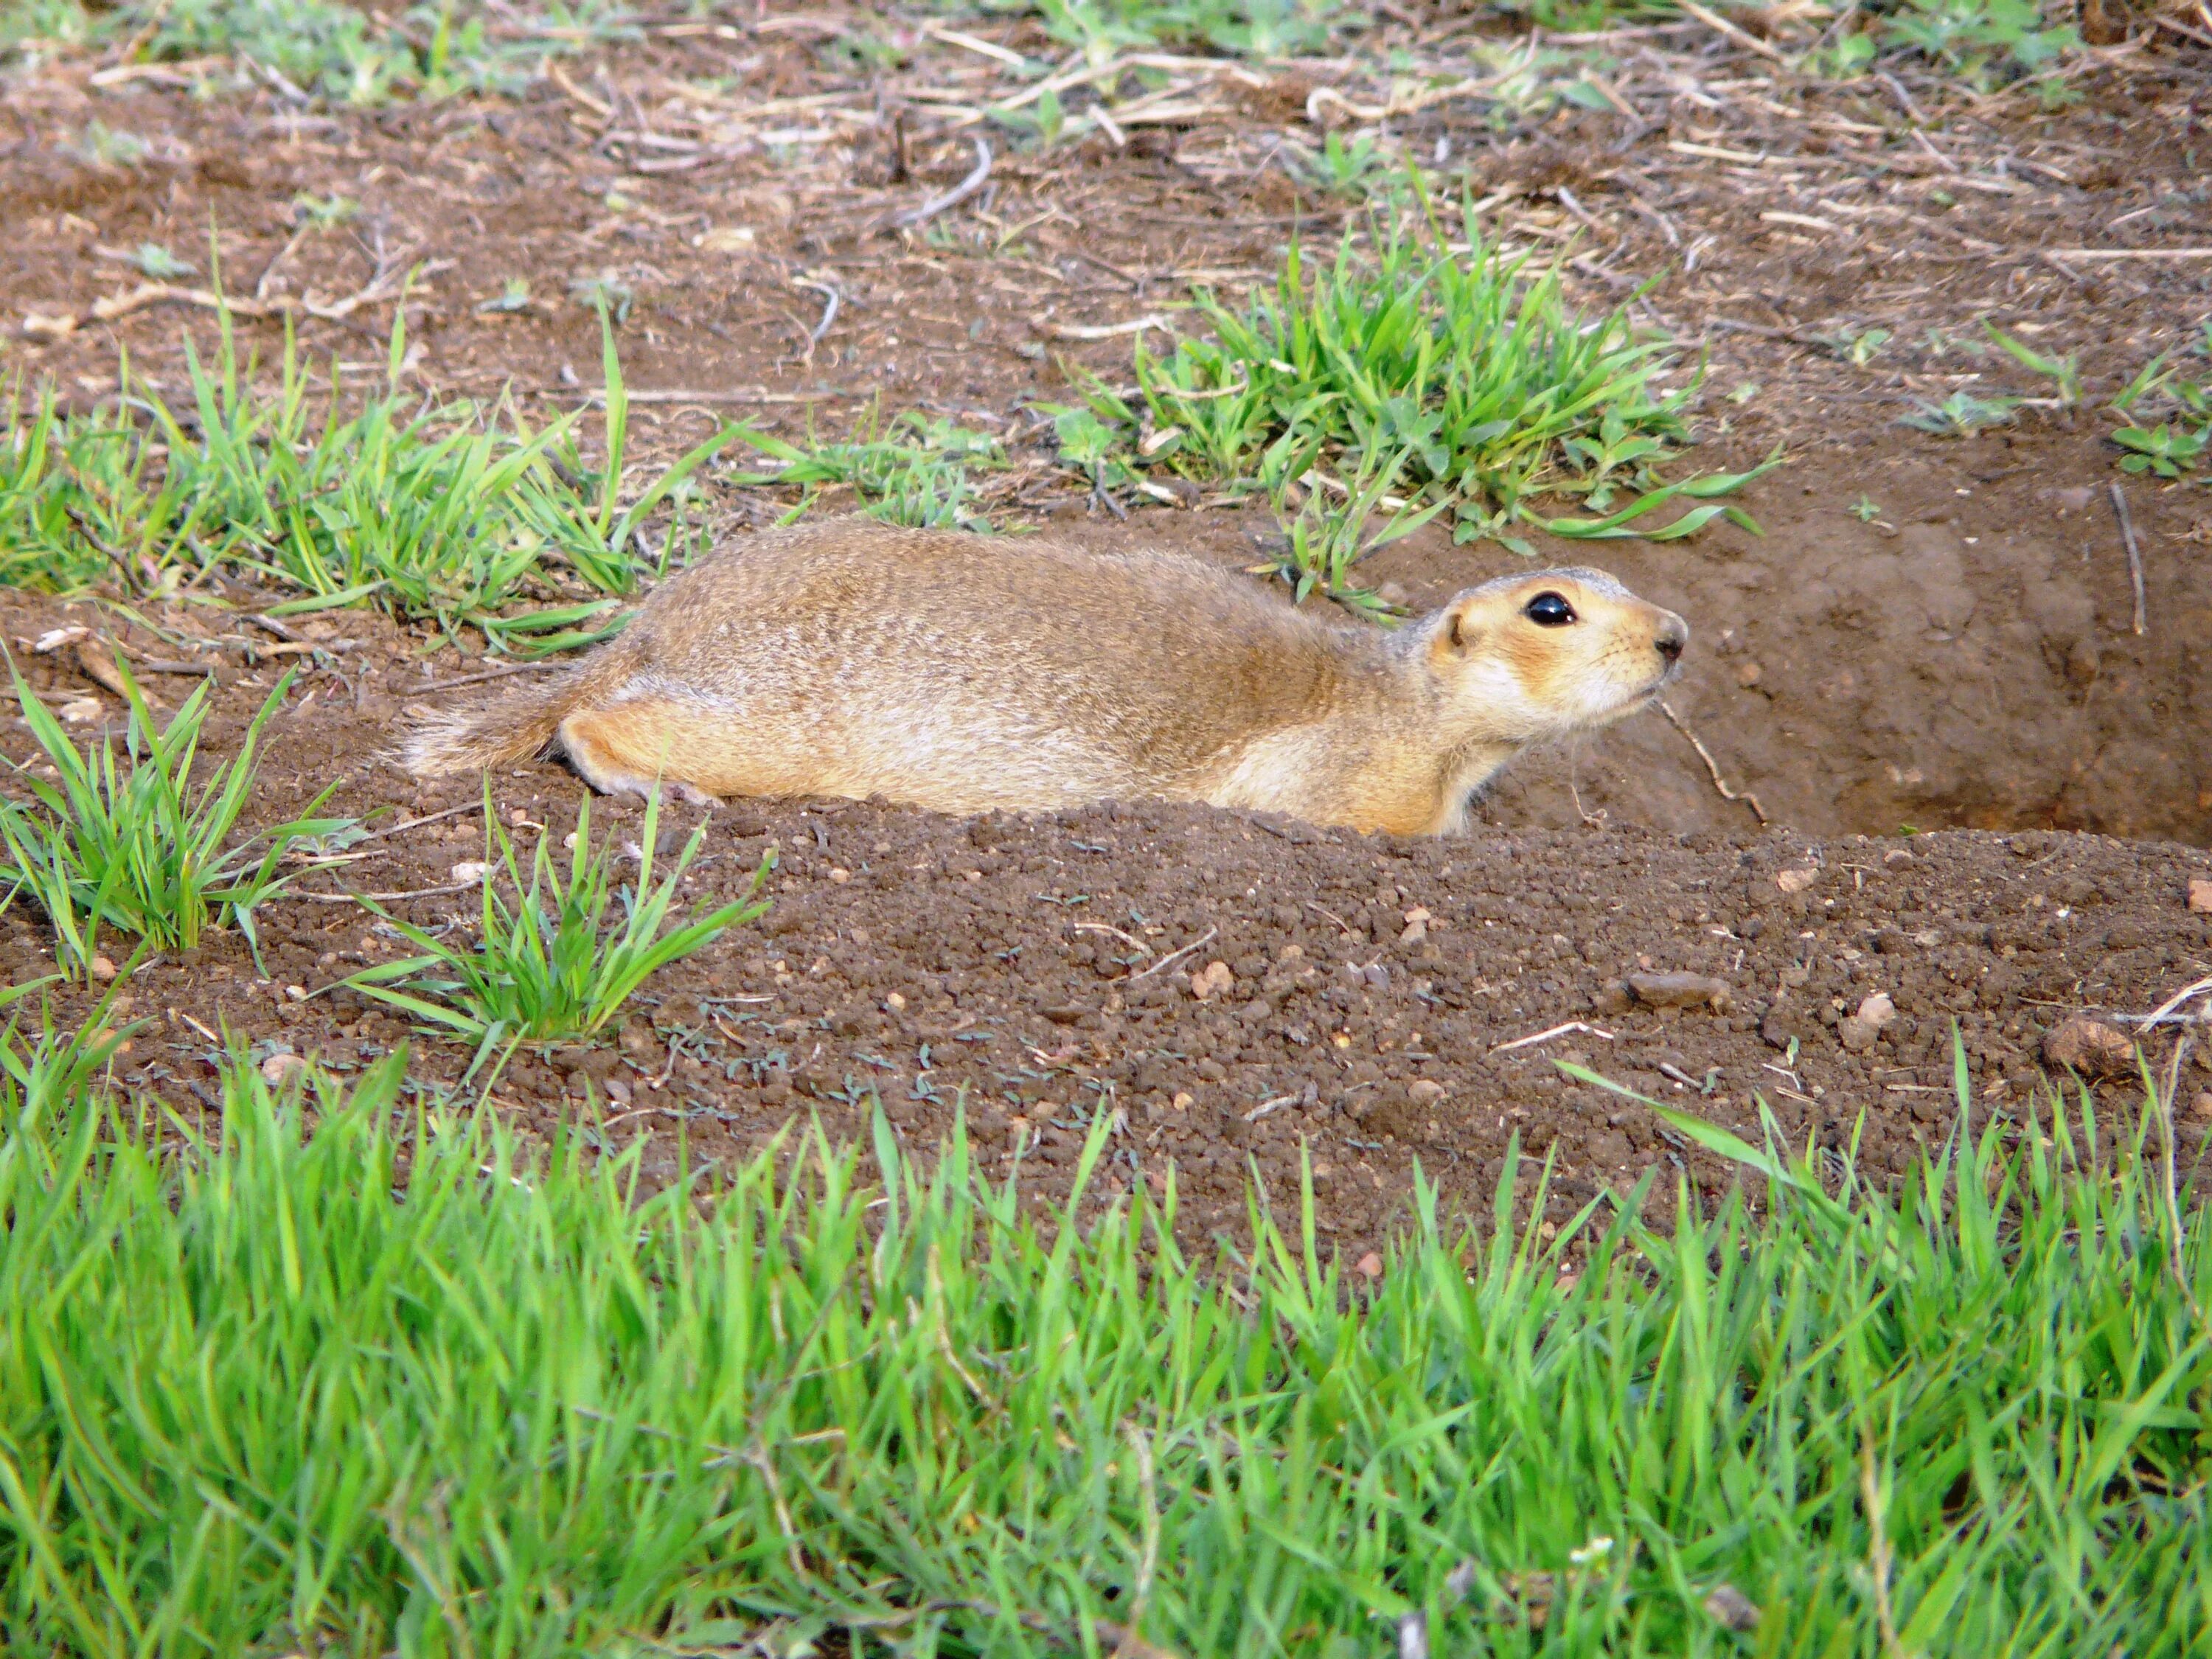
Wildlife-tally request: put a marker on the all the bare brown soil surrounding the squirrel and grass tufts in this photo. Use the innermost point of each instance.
(1965, 660)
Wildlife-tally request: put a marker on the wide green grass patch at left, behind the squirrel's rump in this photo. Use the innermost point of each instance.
(437, 512)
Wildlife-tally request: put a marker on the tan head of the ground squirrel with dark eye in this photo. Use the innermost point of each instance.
(1541, 656)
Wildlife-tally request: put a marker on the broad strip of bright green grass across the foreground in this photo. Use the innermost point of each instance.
(258, 1401)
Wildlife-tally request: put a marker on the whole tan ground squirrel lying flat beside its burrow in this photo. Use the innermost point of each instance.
(974, 674)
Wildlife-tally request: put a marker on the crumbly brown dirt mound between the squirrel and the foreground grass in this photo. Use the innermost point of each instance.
(1231, 990)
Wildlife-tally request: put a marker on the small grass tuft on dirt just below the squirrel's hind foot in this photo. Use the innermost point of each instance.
(559, 961)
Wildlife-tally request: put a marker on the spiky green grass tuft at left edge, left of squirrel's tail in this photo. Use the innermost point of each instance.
(129, 844)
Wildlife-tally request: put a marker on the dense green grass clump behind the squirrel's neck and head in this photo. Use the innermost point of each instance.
(1454, 364)
